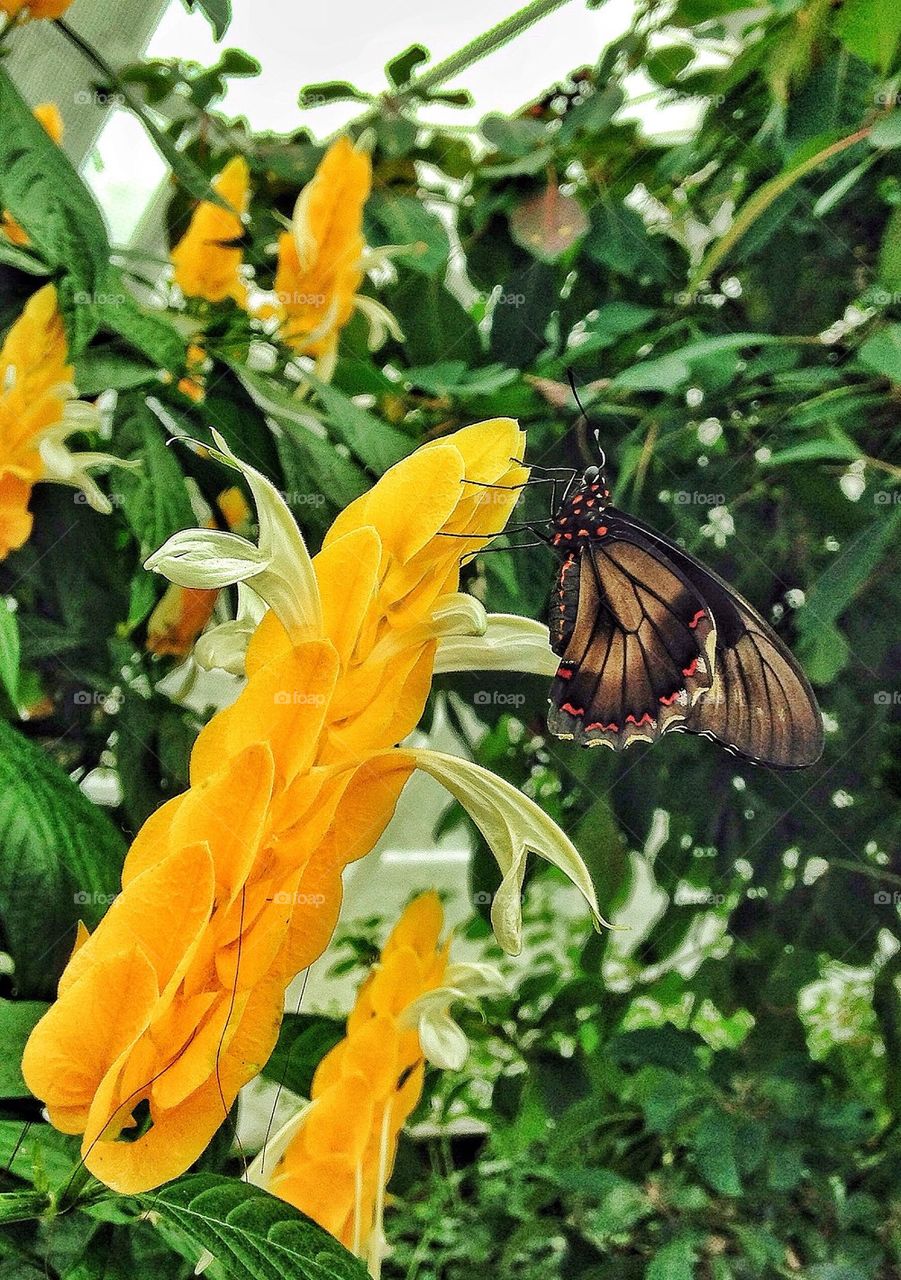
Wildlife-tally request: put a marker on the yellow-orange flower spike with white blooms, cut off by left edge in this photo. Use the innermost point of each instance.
(39, 412)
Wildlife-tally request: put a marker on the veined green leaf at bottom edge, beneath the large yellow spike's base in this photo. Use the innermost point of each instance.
(254, 1236)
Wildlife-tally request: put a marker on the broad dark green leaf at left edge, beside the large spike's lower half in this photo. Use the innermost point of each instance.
(60, 862)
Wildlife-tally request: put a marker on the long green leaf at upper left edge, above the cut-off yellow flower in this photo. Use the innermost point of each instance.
(45, 195)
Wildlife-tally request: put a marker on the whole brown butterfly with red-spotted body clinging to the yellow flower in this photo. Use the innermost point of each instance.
(651, 642)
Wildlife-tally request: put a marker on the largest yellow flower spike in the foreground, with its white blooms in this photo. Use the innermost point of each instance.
(235, 888)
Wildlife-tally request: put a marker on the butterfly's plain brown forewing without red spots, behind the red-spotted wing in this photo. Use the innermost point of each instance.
(761, 703)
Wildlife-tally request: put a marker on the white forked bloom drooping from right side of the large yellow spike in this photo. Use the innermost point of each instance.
(513, 825)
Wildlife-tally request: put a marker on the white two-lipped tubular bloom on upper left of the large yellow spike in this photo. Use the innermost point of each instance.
(280, 565)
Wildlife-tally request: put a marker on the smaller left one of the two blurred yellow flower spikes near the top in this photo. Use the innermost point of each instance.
(208, 259)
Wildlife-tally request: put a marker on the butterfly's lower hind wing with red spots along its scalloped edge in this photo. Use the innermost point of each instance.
(637, 643)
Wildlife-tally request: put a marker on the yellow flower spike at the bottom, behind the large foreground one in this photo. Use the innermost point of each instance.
(335, 1160)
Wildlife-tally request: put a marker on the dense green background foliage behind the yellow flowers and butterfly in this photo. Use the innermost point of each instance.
(716, 1092)
